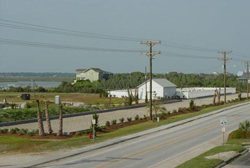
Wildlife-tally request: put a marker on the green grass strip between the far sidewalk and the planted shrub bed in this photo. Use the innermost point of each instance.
(9, 144)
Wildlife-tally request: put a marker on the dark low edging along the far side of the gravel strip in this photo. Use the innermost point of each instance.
(79, 114)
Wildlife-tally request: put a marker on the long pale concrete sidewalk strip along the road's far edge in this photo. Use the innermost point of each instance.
(124, 138)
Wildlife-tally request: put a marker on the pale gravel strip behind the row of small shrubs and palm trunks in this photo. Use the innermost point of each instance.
(83, 122)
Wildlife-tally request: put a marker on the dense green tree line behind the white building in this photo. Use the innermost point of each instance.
(132, 80)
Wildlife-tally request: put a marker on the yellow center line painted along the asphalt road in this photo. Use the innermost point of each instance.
(163, 144)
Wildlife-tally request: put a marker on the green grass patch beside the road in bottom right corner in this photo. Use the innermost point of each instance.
(201, 161)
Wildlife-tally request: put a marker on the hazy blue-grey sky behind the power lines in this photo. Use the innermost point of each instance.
(191, 34)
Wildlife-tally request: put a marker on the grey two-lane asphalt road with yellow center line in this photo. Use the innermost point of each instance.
(160, 149)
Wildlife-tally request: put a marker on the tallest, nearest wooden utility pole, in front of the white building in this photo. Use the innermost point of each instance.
(150, 54)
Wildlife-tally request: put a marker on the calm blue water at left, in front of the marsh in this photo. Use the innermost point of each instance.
(6, 85)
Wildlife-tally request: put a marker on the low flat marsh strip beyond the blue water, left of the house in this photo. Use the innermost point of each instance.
(41, 79)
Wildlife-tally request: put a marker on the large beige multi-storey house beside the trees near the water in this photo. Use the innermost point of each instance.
(92, 74)
